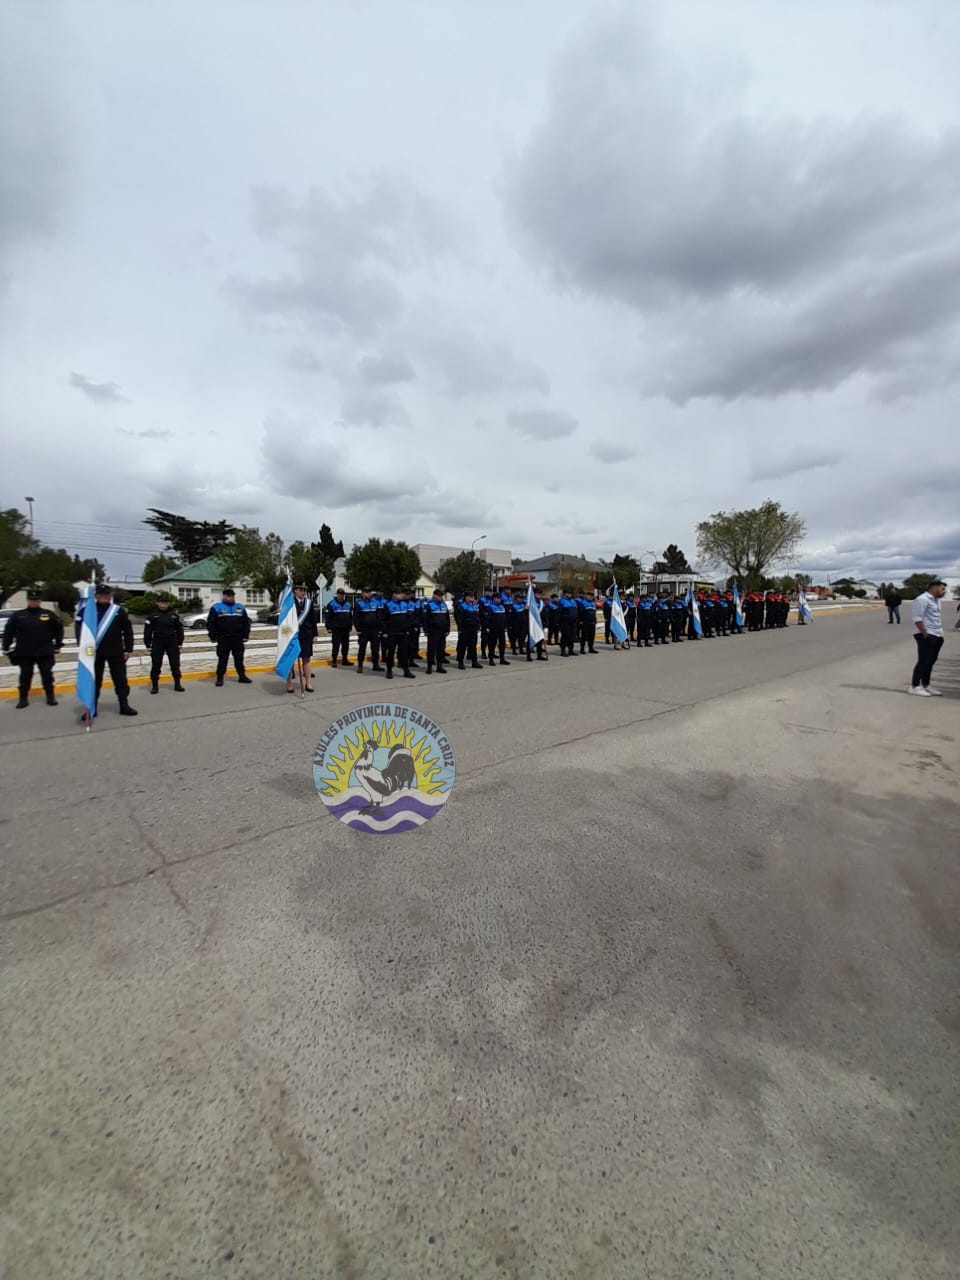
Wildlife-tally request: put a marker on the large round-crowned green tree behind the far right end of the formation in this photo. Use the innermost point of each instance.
(749, 542)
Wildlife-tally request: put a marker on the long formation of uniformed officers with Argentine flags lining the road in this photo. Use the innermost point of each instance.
(391, 632)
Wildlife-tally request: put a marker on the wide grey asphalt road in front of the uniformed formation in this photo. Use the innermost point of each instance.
(671, 989)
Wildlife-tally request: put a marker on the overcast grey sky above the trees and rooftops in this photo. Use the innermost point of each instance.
(569, 275)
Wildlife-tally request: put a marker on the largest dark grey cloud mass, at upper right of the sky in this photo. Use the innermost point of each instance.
(788, 249)
